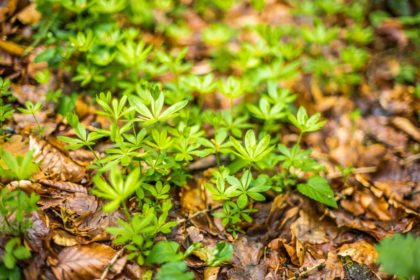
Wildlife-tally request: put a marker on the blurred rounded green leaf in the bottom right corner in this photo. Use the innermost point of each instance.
(399, 255)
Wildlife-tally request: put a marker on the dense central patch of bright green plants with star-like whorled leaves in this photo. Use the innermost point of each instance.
(156, 120)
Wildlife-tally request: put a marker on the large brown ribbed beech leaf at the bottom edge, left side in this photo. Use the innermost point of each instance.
(85, 262)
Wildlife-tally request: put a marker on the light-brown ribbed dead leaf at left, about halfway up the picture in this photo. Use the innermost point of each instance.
(54, 164)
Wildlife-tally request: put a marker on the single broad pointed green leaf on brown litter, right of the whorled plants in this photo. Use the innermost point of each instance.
(318, 189)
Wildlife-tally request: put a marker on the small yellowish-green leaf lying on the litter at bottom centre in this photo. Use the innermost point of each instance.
(163, 252)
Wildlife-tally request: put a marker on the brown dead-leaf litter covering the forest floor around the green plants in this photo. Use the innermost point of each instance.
(373, 130)
